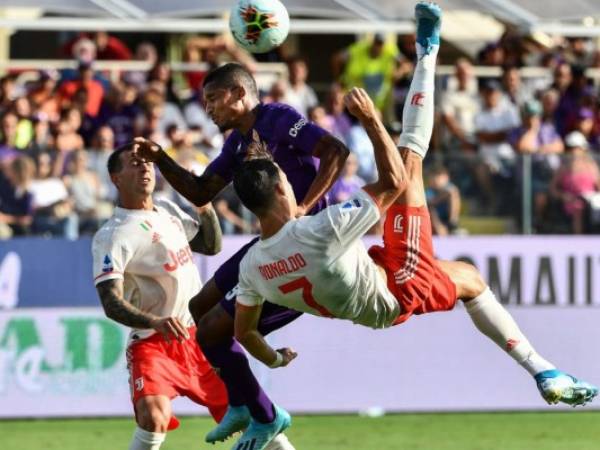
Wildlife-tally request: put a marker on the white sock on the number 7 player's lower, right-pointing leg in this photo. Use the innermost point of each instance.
(490, 317)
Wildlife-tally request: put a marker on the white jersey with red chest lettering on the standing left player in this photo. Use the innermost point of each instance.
(150, 251)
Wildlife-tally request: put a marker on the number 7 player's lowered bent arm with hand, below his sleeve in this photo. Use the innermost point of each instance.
(246, 333)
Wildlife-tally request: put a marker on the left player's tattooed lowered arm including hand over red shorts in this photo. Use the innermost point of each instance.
(123, 312)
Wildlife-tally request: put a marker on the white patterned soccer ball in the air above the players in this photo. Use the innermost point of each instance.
(259, 25)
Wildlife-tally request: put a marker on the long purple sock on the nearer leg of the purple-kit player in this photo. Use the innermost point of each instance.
(242, 387)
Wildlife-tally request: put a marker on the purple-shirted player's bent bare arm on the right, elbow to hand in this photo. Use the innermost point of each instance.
(332, 154)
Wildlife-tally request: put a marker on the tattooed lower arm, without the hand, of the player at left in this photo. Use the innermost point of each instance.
(118, 309)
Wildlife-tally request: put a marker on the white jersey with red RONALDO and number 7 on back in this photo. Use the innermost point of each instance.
(318, 264)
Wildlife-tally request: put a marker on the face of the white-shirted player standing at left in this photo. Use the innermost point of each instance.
(137, 178)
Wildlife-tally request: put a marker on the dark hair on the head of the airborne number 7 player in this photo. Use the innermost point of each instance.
(254, 183)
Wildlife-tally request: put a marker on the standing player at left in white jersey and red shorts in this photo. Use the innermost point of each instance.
(145, 276)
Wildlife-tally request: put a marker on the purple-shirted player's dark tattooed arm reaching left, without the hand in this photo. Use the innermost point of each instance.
(198, 190)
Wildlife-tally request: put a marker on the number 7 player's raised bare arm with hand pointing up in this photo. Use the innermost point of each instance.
(392, 176)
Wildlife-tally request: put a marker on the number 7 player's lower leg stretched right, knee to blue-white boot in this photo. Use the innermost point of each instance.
(493, 320)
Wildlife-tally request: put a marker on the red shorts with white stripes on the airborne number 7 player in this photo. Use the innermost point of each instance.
(413, 274)
